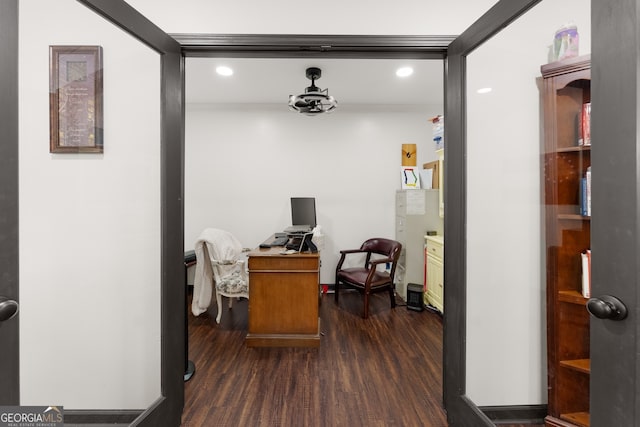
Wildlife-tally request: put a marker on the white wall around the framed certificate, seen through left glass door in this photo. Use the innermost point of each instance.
(89, 225)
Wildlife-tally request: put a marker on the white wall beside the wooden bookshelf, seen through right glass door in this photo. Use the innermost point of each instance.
(506, 324)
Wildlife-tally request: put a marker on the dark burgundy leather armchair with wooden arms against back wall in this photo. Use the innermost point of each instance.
(369, 278)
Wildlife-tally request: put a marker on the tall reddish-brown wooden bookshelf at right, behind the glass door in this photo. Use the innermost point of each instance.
(566, 88)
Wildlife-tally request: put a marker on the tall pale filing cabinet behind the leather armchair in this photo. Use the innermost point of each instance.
(416, 213)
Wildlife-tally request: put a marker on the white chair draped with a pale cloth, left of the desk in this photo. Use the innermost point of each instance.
(220, 263)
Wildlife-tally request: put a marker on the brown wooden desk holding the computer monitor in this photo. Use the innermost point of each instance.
(283, 299)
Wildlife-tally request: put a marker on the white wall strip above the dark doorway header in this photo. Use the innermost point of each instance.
(400, 17)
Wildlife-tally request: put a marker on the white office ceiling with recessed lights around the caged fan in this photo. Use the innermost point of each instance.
(350, 81)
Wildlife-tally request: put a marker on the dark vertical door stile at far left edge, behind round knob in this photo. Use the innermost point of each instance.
(9, 215)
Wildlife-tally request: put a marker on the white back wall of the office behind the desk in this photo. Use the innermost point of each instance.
(244, 163)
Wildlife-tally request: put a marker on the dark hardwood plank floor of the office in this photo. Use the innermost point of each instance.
(382, 371)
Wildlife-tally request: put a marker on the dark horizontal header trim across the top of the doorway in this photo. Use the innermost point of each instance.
(328, 46)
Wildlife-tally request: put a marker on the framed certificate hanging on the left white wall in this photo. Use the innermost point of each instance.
(75, 99)
